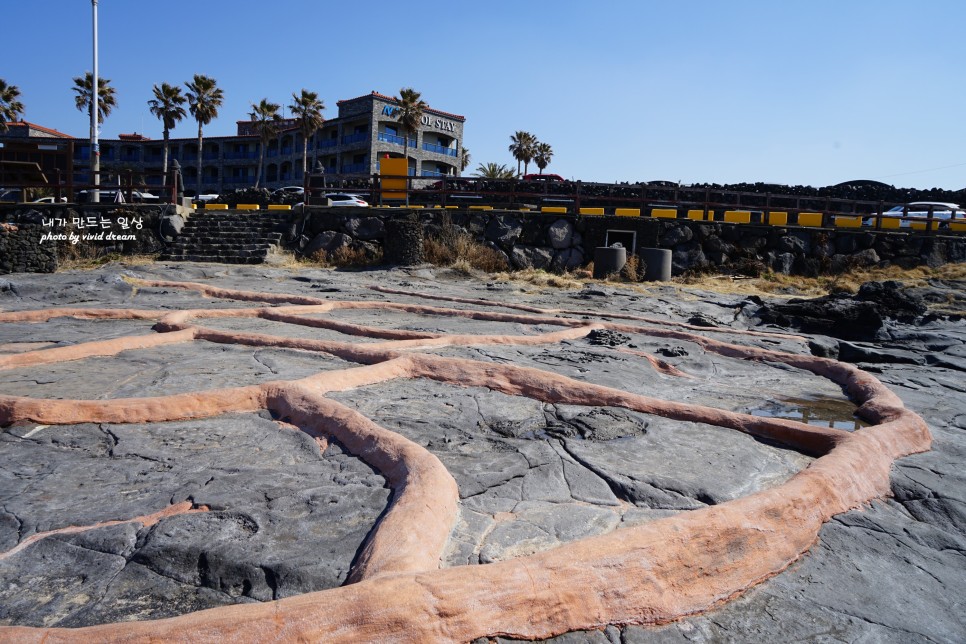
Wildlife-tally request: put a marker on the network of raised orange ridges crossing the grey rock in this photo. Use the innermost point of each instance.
(653, 573)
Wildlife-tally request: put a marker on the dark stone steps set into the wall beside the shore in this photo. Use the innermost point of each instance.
(228, 237)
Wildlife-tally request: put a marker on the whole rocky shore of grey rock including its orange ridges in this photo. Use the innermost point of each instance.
(532, 402)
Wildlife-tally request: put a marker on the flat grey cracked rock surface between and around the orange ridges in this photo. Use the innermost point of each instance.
(284, 514)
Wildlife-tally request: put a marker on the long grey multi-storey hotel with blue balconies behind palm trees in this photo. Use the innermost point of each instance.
(365, 131)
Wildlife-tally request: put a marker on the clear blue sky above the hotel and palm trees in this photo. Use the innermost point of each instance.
(798, 92)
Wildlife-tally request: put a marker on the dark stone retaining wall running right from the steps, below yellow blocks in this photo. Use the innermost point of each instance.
(562, 242)
